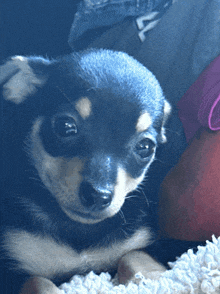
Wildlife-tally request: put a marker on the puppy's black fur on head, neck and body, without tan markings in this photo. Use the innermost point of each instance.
(120, 90)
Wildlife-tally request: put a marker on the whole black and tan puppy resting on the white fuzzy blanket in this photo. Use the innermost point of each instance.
(79, 134)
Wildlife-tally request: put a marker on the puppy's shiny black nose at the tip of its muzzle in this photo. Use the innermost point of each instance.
(95, 199)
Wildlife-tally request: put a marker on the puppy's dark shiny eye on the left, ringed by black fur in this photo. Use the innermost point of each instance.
(65, 126)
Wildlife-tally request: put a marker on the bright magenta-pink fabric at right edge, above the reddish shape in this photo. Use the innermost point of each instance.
(200, 105)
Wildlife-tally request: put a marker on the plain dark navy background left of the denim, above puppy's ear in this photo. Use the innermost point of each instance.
(35, 27)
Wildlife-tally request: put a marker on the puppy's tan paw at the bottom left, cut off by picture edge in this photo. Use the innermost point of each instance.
(39, 285)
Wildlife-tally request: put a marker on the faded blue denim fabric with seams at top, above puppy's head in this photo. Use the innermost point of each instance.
(92, 14)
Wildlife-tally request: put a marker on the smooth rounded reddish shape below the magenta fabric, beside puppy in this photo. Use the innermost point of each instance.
(190, 193)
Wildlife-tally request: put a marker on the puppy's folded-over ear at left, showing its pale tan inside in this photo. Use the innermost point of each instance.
(19, 79)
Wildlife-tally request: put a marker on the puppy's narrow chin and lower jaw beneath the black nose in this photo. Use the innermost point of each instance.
(89, 218)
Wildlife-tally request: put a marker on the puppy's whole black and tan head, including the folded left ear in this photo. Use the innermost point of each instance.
(97, 118)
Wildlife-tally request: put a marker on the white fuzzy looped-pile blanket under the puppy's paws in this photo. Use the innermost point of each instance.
(191, 273)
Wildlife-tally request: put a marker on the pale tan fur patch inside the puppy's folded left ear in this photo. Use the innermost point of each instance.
(23, 83)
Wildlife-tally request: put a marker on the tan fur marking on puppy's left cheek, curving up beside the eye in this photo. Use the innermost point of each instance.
(61, 176)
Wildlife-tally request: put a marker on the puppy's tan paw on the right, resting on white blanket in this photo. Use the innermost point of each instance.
(138, 261)
